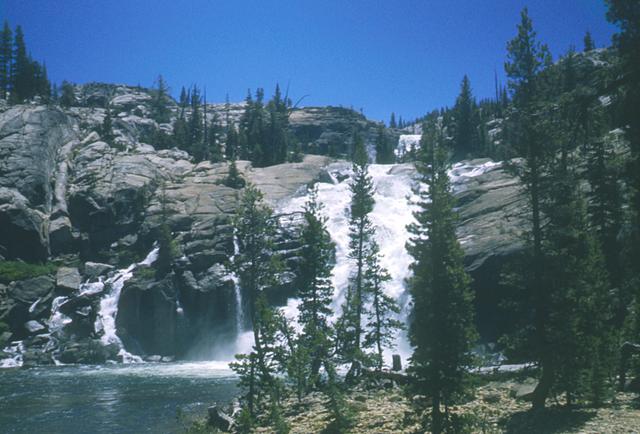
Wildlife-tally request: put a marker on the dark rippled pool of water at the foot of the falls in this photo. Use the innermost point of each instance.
(135, 398)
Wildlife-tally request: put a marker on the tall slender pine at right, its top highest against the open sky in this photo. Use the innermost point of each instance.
(526, 59)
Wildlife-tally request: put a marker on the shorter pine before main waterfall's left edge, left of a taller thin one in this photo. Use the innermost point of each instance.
(315, 290)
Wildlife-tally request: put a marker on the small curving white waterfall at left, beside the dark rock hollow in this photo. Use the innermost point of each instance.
(106, 320)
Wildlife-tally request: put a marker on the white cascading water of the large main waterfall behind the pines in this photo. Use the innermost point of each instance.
(392, 213)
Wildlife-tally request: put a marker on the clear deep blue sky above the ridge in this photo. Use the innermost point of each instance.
(406, 56)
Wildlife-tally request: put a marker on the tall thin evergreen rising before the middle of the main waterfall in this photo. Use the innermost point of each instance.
(361, 231)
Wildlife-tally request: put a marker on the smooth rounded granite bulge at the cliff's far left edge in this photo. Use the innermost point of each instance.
(31, 138)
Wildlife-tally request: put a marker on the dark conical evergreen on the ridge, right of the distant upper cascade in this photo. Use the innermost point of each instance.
(465, 140)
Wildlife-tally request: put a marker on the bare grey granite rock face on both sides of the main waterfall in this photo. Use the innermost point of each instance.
(66, 194)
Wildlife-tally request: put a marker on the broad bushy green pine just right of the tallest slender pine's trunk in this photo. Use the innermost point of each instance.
(580, 337)
